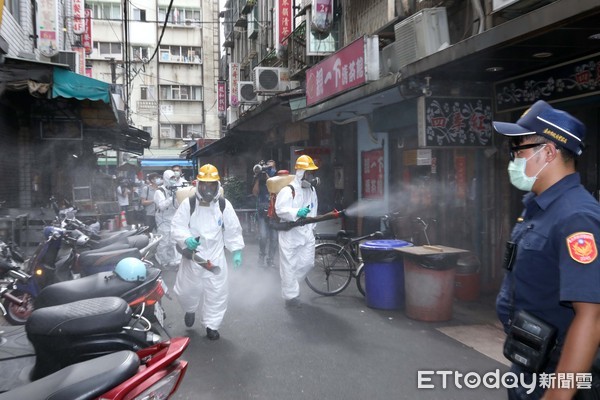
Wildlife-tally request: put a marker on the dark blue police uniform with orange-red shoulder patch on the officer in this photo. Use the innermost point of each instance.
(556, 258)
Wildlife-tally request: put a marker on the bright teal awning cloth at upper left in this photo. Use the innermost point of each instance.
(71, 85)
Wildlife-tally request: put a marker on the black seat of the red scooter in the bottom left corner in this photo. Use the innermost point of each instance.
(87, 379)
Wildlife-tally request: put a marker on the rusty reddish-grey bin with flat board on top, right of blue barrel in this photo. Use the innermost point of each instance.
(429, 281)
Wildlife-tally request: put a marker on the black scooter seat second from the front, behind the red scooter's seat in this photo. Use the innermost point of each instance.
(84, 317)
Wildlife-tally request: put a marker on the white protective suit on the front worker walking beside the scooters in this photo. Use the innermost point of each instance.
(195, 286)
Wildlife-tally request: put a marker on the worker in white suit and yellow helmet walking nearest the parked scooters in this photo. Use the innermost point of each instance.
(212, 226)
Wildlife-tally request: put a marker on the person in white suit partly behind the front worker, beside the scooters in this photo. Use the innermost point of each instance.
(166, 205)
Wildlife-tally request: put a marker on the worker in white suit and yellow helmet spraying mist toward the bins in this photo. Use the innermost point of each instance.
(297, 245)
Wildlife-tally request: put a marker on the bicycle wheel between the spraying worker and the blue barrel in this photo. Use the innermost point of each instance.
(332, 271)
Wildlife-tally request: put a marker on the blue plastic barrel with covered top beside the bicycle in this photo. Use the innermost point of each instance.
(384, 273)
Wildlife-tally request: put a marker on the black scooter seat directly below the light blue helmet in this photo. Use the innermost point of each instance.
(97, 285)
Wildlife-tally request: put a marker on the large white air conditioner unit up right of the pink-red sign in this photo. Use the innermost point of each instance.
(421, 34)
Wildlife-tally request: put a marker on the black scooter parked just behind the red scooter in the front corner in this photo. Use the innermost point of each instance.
(58, 336)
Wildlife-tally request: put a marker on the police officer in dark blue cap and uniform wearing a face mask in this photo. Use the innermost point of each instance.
(553, 268)
